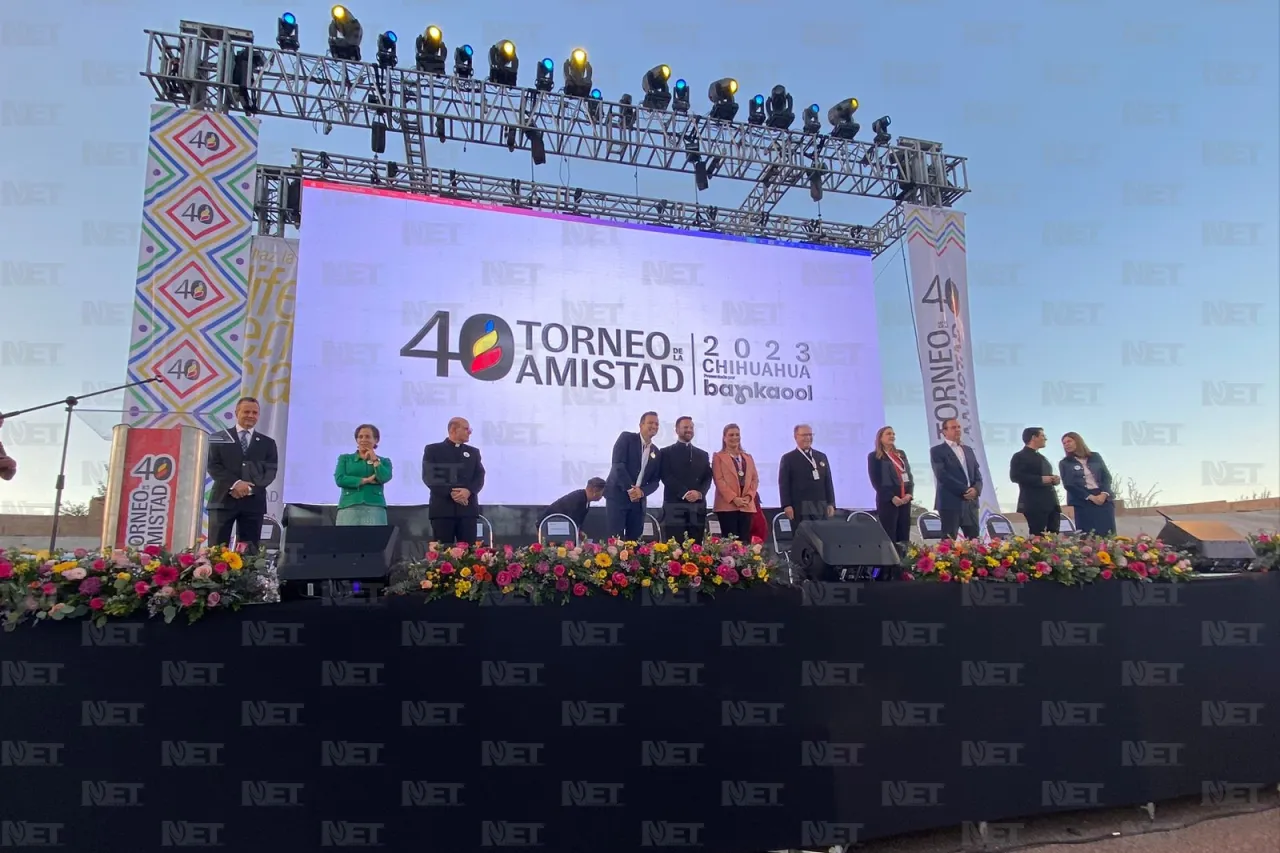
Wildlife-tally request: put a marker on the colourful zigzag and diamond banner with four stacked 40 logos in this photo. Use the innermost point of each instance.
(194, 267)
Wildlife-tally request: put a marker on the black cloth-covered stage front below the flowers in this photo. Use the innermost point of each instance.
(766, 719)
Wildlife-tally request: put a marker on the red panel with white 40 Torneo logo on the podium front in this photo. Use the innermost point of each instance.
(150, 489)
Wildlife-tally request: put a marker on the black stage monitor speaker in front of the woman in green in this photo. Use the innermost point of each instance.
(339, 554)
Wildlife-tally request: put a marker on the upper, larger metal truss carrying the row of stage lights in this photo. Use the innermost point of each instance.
(217, 69)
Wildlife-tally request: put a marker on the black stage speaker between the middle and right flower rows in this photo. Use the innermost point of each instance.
(843, 550)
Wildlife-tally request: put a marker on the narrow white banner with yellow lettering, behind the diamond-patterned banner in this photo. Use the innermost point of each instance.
(269, 345)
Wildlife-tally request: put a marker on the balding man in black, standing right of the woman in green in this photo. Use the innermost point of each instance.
(454, 476)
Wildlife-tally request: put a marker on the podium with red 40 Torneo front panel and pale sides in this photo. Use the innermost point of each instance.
(156, 489)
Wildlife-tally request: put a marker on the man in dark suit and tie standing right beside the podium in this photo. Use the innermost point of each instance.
(241, 471)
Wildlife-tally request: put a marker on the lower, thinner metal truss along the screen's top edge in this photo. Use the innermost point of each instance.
(277, 203)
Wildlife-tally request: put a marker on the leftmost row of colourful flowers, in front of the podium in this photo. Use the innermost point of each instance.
(39, 586)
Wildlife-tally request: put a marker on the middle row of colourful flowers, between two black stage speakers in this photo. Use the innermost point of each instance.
(561, 572)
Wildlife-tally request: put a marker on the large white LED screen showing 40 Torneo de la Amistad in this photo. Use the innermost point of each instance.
(554, 334)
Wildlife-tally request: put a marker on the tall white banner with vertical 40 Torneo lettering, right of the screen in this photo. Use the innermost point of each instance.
(940, 303)
